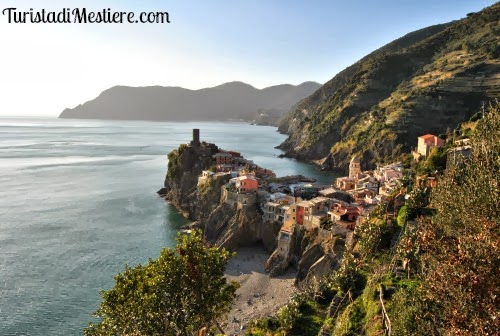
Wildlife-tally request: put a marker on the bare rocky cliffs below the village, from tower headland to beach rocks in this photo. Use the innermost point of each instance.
(233, 225)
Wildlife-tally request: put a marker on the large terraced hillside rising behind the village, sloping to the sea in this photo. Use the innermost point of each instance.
(427, 81)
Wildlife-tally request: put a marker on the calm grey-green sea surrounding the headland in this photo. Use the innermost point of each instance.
(77, 202)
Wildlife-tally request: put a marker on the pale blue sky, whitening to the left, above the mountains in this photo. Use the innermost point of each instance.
(48, 67)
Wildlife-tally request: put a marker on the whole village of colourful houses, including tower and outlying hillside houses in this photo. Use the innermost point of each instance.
(294, 201)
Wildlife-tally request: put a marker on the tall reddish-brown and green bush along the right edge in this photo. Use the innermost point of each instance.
(460, 287)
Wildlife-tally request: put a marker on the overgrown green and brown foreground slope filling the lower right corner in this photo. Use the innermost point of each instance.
(438, 270)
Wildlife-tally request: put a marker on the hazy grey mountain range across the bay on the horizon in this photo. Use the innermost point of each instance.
(234, 100)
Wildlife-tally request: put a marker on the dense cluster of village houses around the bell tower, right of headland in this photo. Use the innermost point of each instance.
(330, 208)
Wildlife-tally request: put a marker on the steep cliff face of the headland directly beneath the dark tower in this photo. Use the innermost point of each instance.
(223, 224)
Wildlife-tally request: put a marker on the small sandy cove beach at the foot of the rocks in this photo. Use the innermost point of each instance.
(259, 295)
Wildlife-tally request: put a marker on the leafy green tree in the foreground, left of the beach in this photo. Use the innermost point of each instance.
(177, 294)
